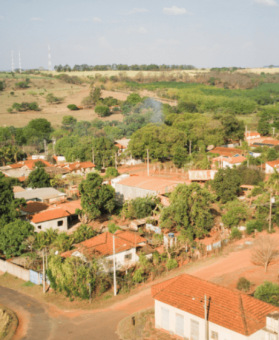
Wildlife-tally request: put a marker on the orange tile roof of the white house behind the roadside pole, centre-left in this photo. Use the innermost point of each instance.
(103, 244)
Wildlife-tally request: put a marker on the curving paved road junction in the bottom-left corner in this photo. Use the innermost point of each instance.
(36, 322)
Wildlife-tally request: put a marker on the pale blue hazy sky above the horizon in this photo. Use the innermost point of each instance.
(203, 33)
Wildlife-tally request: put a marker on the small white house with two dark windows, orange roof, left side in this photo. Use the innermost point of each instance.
(56, 219)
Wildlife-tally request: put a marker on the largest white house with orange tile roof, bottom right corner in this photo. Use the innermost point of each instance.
(195, 309)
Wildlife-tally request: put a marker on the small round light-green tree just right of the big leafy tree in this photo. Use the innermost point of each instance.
(236, 212)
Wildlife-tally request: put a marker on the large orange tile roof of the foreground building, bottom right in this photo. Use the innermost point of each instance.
(230, 309)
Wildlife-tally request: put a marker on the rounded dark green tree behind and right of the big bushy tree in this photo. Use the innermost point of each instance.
(226, 184)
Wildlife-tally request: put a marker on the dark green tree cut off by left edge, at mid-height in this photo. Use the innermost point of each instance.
(9, 206)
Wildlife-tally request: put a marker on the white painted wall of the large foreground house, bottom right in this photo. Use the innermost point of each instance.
(223, 333)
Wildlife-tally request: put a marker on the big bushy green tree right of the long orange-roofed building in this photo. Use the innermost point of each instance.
(189, 210)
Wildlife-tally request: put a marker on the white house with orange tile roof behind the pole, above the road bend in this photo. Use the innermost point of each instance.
(127, 248)
